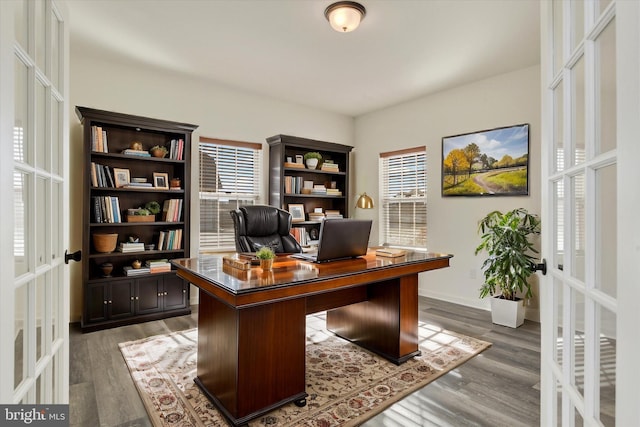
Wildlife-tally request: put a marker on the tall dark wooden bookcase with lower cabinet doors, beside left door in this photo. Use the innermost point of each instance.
(117, 298)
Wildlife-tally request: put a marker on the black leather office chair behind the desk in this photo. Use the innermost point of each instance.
(257, 226)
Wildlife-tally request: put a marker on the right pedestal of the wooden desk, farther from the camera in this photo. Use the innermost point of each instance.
(387, 323)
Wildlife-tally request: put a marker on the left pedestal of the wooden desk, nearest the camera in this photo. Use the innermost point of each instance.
(251, 360)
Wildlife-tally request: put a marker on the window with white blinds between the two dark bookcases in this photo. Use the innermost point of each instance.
(229, 178)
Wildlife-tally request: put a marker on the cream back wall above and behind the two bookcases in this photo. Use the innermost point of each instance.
(220, 112)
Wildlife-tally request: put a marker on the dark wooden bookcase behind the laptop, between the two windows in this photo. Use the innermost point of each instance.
(283, 150)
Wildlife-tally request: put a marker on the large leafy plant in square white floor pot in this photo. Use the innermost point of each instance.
(505, 237)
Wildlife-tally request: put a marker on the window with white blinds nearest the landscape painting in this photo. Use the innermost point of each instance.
(404, 198)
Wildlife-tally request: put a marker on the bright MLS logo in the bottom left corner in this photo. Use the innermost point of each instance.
(36, 415)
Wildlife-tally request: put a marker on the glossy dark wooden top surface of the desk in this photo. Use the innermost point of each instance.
(289, 271)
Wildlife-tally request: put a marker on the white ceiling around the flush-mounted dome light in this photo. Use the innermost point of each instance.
(403, 49)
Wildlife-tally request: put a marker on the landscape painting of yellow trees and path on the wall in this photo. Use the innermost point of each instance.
(492, 162)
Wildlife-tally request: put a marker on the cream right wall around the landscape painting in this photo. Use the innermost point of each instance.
(503, 100)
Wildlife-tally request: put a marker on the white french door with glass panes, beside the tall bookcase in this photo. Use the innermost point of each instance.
(34, 291)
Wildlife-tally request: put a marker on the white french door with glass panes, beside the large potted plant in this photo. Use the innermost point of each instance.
(589, 185)
